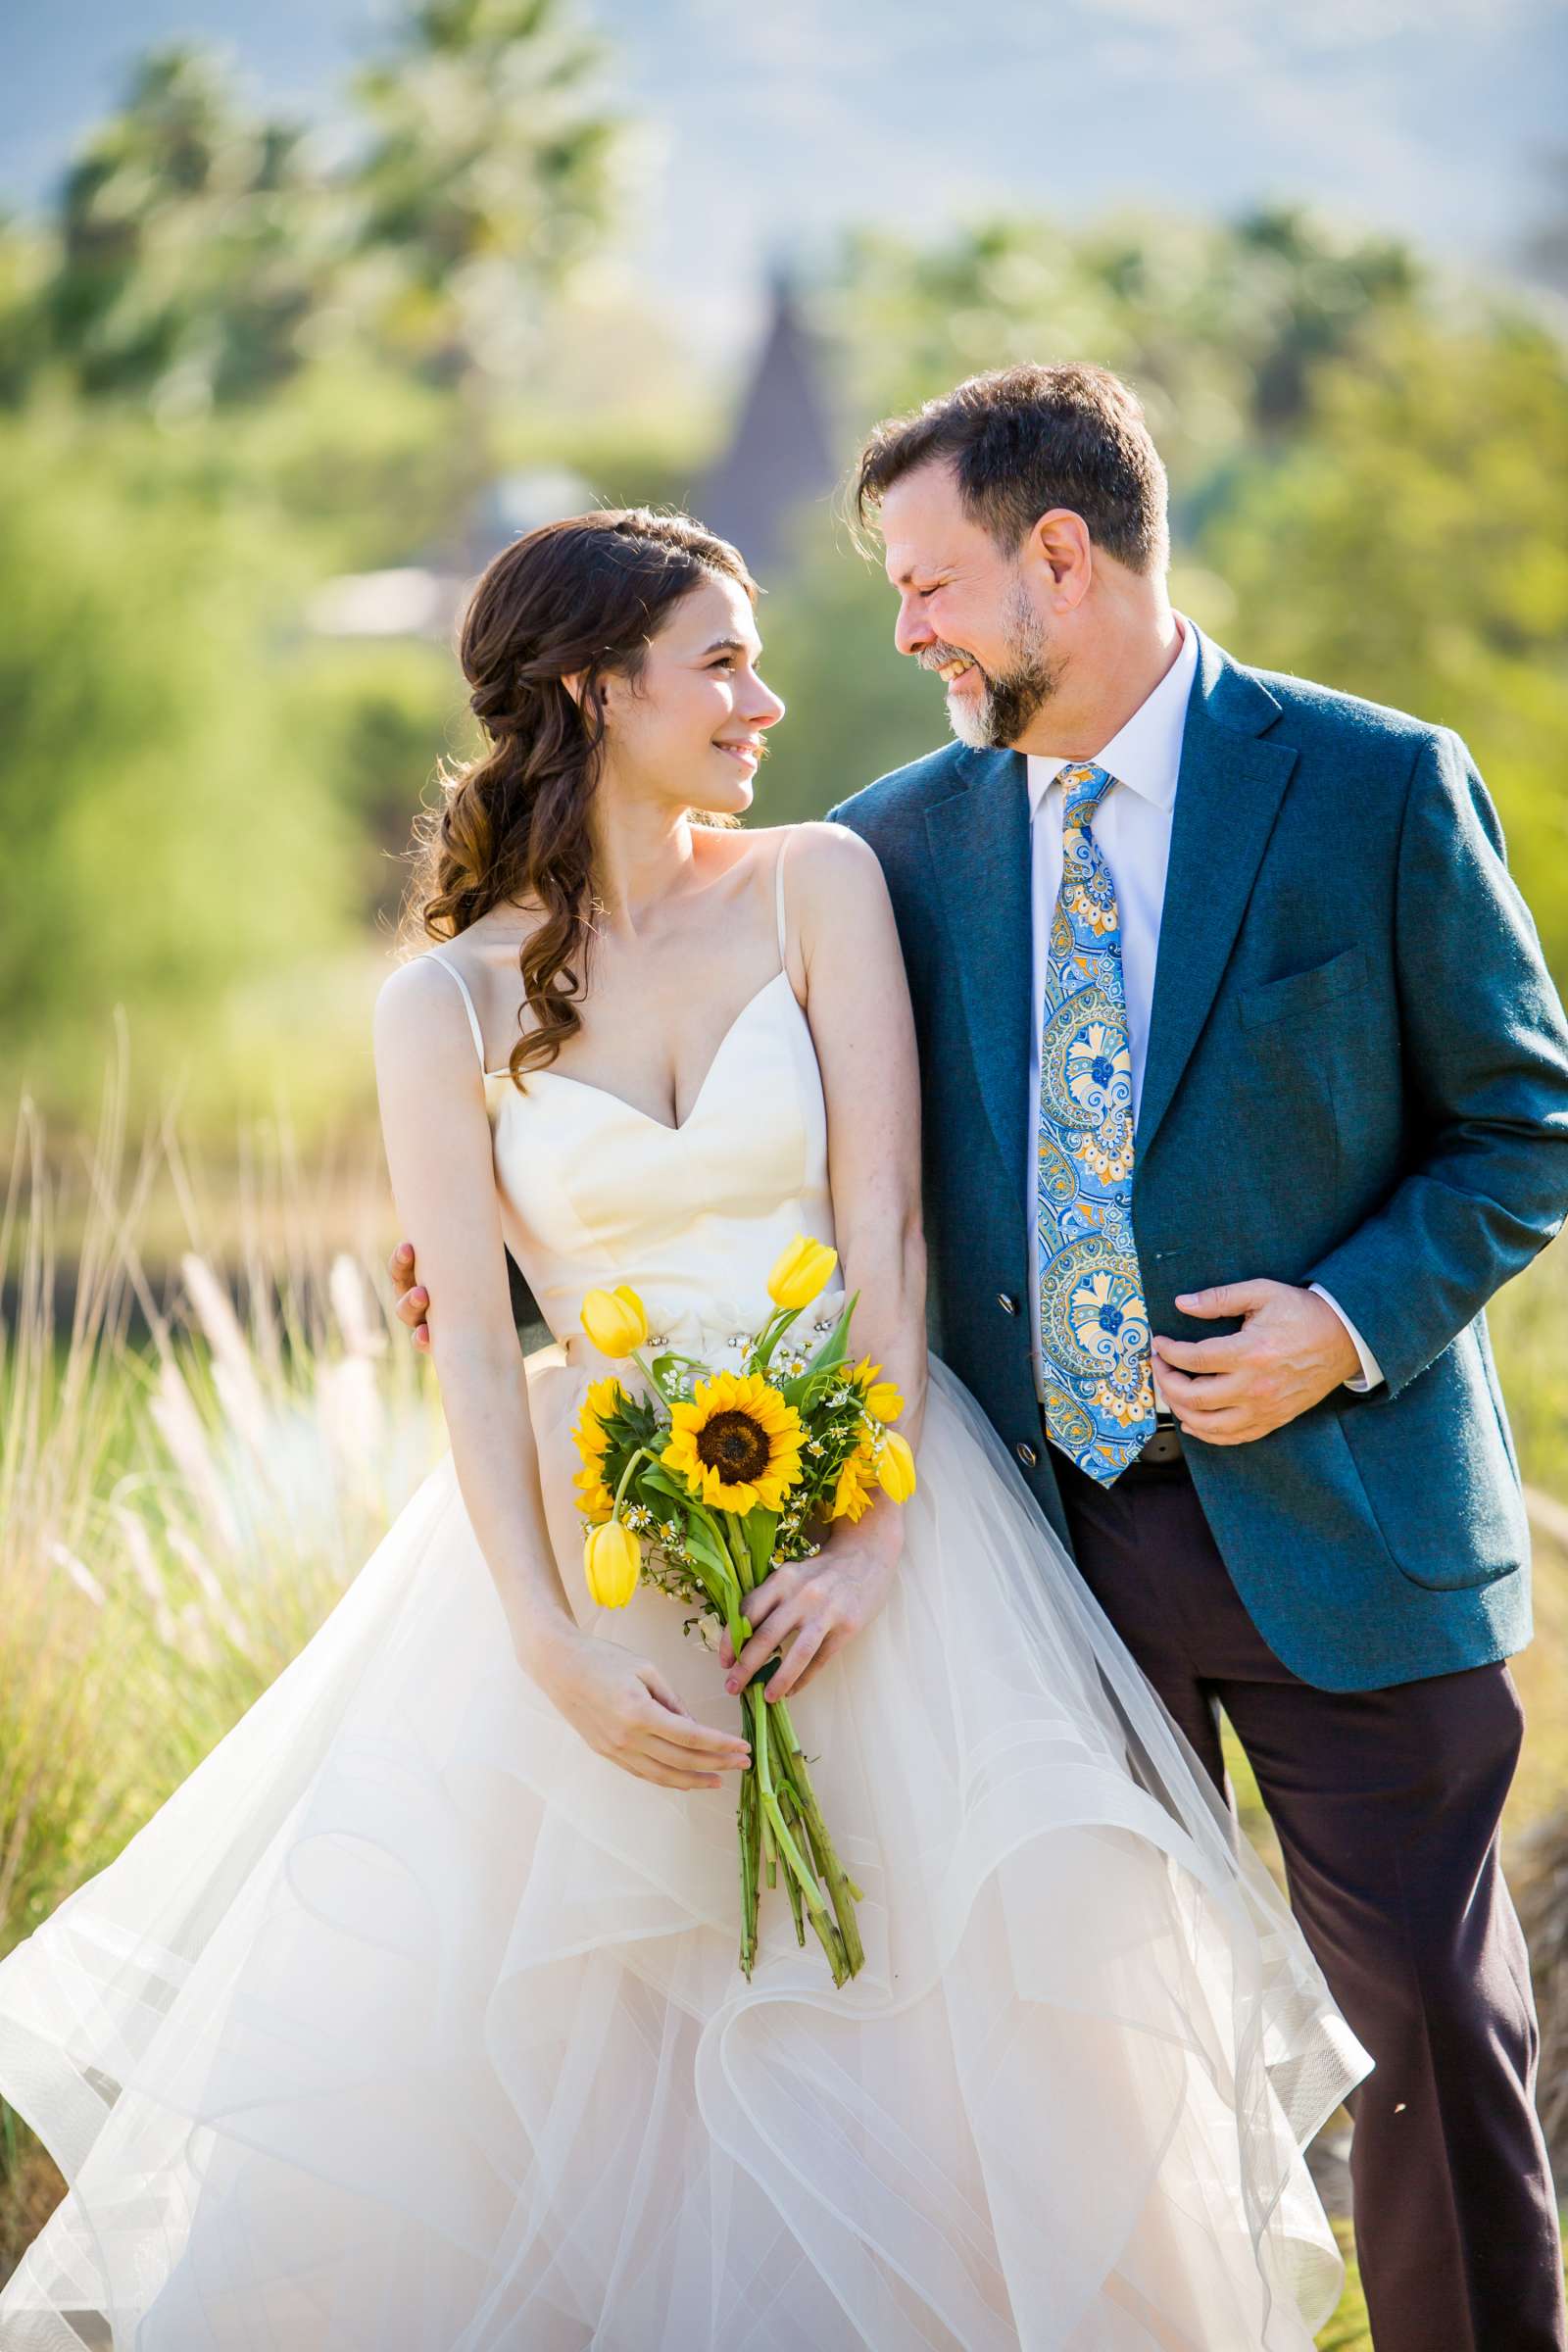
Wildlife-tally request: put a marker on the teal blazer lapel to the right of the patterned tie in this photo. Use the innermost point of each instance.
(1228, 794)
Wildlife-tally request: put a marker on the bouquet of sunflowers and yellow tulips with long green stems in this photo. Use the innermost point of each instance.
(704, 1485)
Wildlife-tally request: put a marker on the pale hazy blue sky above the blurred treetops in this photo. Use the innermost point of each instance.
(770, 128)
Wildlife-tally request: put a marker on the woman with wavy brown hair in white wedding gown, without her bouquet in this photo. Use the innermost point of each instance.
(413, 2022)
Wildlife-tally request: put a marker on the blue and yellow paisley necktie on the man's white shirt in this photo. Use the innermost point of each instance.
(1099, 1391)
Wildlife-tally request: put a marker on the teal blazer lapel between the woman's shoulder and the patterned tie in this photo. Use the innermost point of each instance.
(981, 850)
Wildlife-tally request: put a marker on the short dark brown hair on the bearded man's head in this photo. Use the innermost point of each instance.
(1028, 439)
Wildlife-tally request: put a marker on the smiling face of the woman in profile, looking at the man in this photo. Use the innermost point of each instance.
(695, 723)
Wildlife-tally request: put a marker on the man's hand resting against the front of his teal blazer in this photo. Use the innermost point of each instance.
(1292, 1351)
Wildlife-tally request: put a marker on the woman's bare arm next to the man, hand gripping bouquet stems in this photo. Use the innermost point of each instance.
(864, 1031)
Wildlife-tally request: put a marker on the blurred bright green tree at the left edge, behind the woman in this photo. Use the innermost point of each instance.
(173, 836)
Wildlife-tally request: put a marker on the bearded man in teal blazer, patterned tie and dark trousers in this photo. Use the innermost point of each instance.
(1231, 1008)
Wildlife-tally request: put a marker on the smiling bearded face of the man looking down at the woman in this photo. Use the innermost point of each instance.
(967, 610)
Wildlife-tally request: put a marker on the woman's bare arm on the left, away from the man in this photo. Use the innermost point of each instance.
(438, 1149)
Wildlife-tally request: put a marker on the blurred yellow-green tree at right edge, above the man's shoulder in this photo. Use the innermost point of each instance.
(1414, 547)
